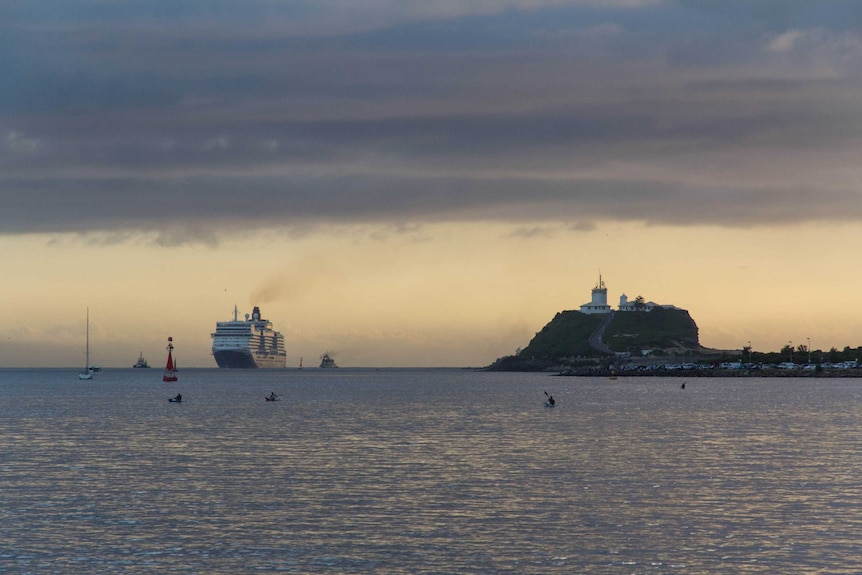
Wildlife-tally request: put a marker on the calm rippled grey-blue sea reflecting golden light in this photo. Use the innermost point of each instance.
(427, 471)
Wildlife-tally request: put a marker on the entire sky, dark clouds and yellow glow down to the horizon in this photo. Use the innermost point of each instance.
(423, 183)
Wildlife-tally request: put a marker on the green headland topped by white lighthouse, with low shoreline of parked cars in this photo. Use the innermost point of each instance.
(643, 338)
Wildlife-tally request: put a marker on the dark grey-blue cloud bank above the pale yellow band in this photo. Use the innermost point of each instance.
(154, 116)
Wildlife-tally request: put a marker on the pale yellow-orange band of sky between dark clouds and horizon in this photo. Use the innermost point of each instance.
(441, 295)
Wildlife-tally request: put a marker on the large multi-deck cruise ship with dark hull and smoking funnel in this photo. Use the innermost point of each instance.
(249, 343)
